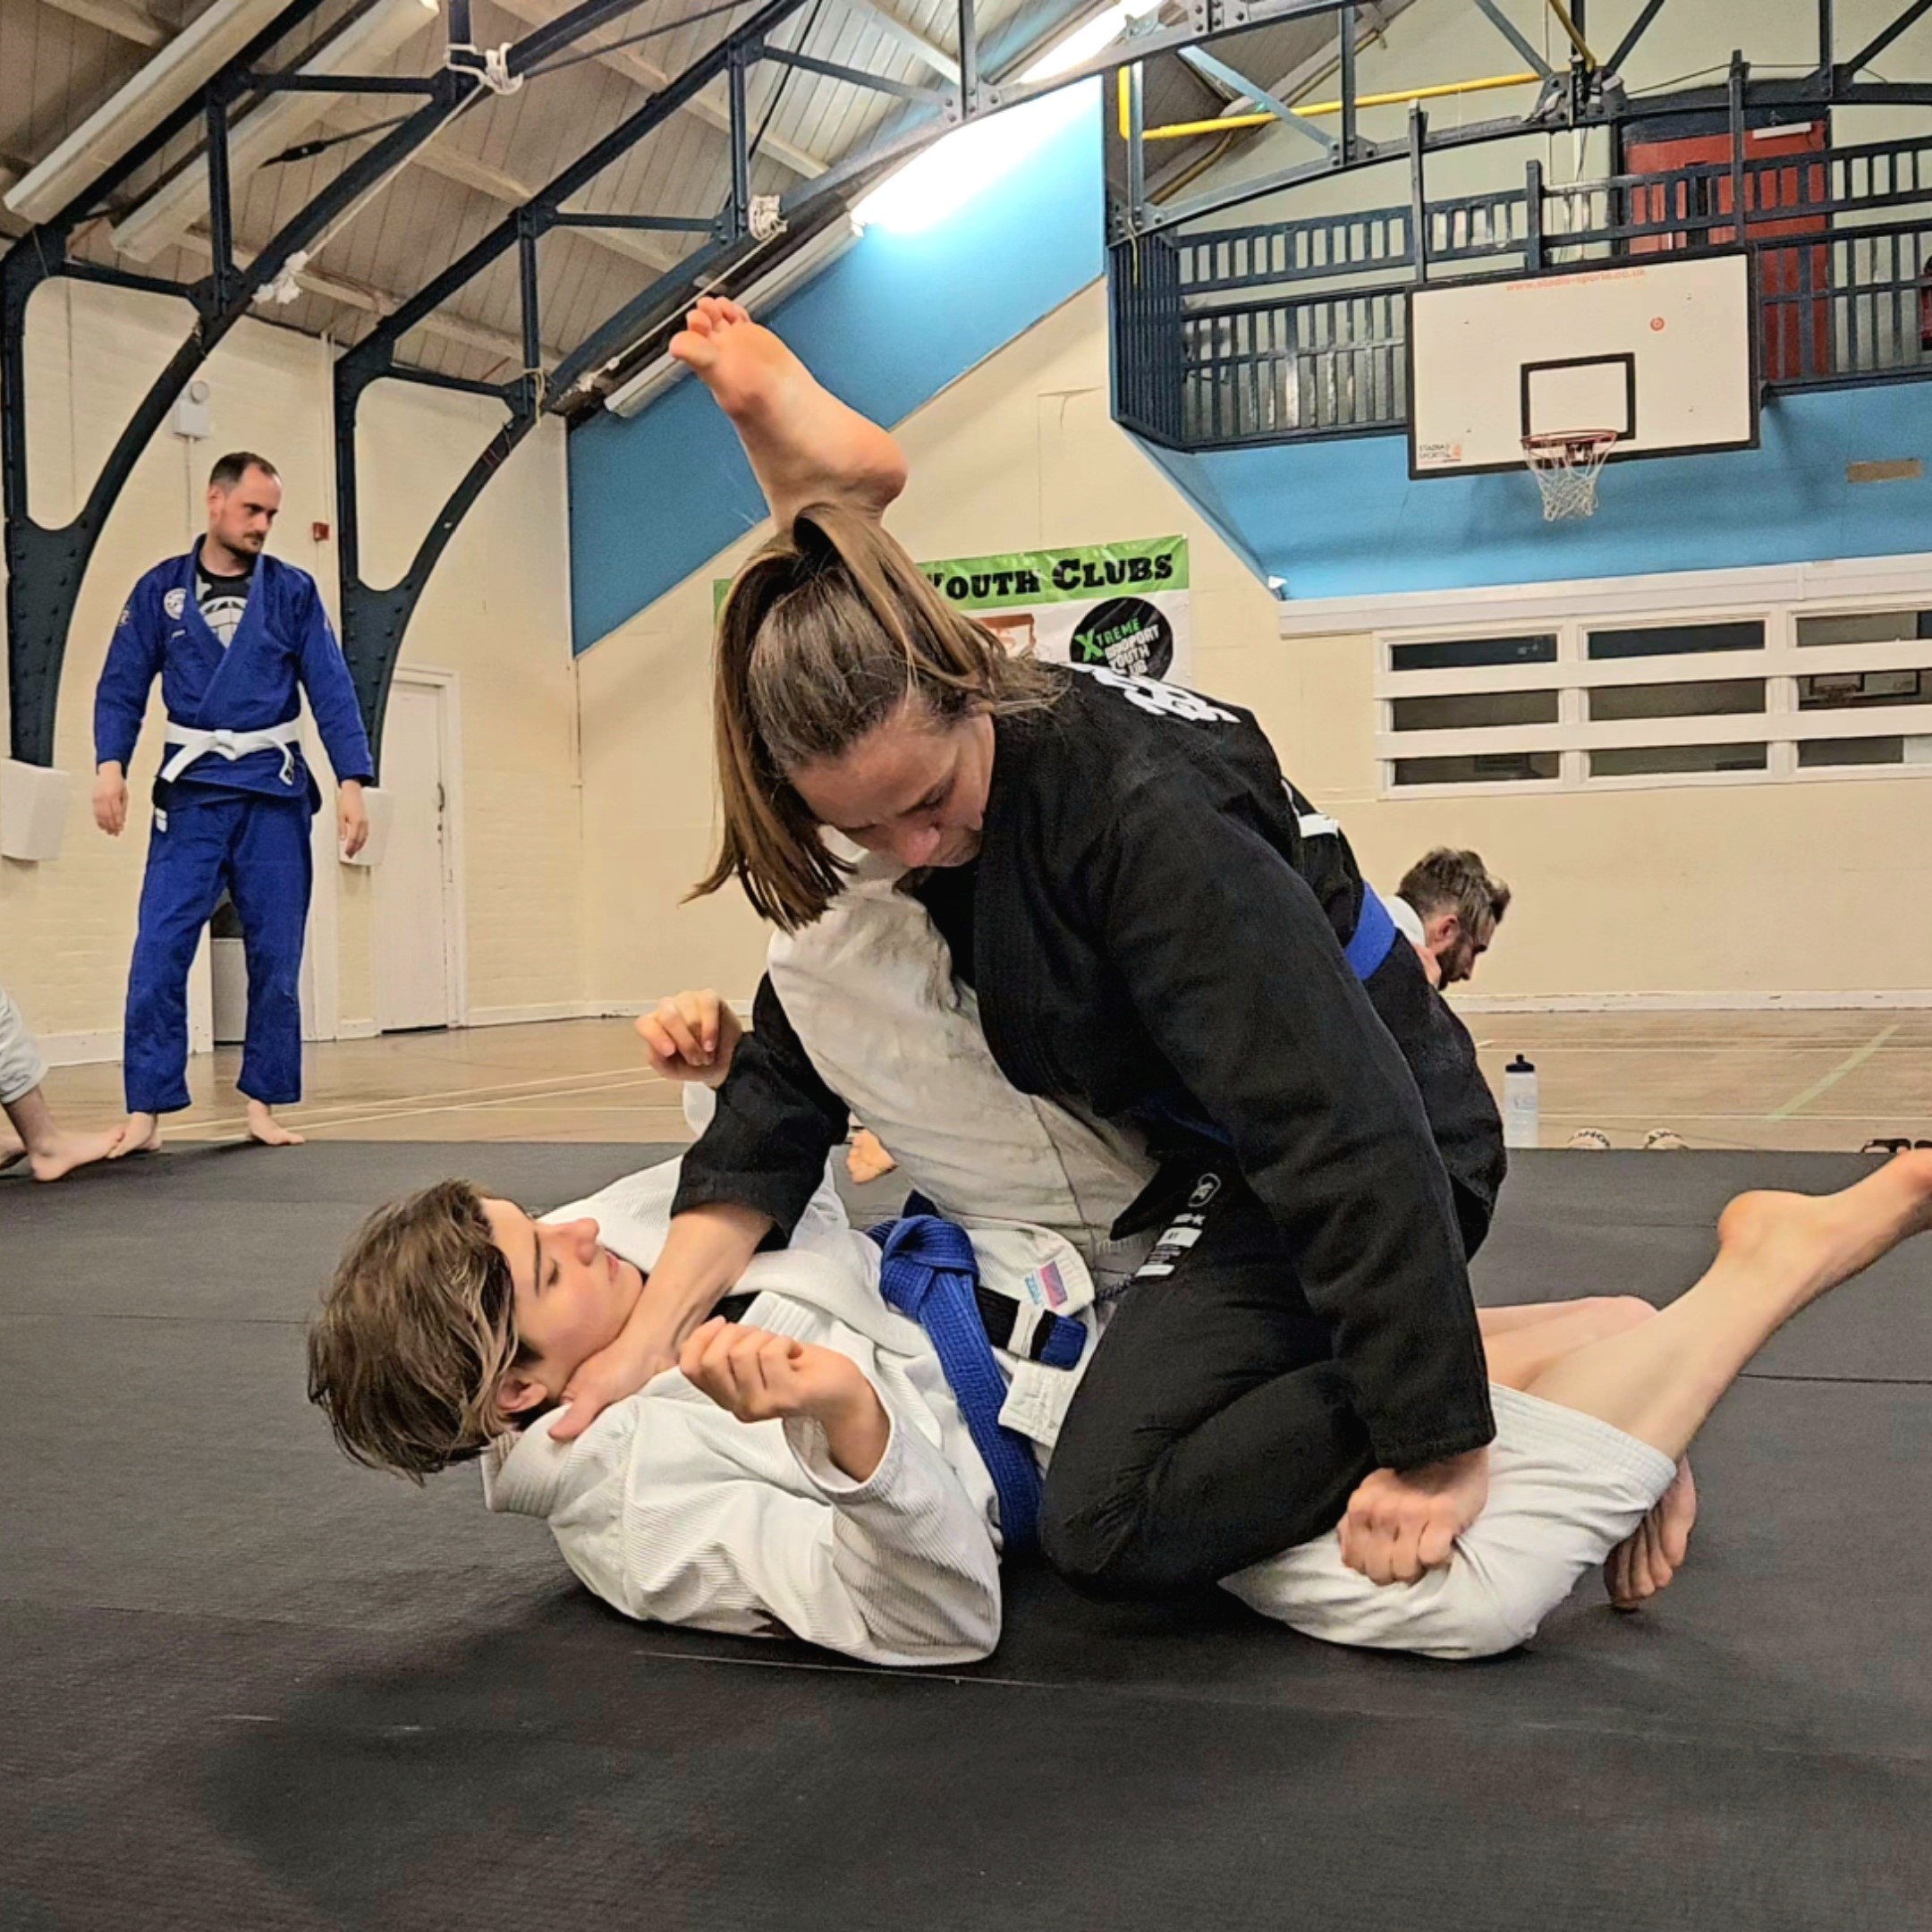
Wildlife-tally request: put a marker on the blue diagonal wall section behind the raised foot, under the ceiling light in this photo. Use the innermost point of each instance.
(892, 324)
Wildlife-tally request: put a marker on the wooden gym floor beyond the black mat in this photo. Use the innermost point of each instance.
(1807, 1081)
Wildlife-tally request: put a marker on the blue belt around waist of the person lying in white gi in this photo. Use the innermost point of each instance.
(930, 1274)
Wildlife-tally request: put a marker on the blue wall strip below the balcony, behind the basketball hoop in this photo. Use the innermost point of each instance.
(1346, 521)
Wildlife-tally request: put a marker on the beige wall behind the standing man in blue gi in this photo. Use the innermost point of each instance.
(497, 615)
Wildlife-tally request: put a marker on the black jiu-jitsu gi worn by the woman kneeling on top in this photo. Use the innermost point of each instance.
(1154, 930)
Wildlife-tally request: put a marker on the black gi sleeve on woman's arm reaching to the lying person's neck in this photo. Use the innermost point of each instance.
(776, 1123)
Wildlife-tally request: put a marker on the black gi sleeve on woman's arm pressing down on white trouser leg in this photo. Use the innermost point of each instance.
(1236, 973)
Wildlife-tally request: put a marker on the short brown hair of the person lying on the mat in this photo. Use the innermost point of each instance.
(416, 1334)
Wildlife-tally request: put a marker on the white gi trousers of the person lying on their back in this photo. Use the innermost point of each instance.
(870, 992)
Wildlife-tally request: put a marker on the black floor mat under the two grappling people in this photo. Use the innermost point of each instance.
(248, 1686)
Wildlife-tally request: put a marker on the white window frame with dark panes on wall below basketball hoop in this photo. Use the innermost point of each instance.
(1780, 727)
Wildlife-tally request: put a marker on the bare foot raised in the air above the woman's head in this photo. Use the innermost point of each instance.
(803, 441)
